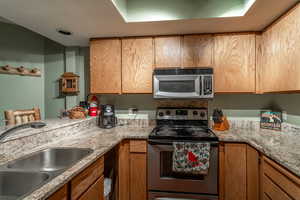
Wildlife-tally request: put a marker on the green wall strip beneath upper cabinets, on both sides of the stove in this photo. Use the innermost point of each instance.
(245, 106)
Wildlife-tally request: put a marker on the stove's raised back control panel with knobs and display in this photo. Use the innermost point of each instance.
(182, 114)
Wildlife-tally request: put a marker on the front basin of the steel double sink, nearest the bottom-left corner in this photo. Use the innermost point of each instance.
(14, 185)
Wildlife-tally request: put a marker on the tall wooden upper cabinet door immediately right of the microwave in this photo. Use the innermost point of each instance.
(234, 63)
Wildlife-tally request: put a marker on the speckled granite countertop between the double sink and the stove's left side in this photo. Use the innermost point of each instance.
(101, 141)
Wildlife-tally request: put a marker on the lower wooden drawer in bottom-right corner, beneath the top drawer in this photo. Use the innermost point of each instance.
(273, 191)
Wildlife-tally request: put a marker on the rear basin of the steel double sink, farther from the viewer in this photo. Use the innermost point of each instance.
(48, 160)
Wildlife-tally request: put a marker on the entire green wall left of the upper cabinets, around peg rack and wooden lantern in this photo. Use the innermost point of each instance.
(22, 47)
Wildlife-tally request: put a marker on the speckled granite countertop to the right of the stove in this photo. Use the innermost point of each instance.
(283, 147)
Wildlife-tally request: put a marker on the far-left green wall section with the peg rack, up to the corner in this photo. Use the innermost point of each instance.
(20, 47)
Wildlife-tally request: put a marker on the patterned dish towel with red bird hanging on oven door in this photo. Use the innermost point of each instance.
(192, 158)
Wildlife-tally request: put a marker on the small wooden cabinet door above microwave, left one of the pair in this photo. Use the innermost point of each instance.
(167, 51)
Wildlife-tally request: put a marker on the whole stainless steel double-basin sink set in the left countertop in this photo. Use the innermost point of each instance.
(22, 176)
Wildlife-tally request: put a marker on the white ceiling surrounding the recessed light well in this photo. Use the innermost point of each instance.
(100, 18)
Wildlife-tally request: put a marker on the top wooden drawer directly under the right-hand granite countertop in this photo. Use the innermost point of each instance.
(279, 176)
